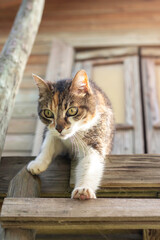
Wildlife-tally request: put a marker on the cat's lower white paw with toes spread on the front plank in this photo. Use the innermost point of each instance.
(83, 193)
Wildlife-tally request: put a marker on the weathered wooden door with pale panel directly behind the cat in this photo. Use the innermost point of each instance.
(119, 77)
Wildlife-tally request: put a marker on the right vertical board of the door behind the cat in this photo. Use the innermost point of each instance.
(133, 102)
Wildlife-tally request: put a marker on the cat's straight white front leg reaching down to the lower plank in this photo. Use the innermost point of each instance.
(89, 172)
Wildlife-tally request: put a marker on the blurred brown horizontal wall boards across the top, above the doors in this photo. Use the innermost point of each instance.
(86, 22)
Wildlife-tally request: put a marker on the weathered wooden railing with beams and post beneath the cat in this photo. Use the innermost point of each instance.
(128, 198)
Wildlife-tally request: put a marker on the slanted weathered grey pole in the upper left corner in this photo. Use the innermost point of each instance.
(14, 57)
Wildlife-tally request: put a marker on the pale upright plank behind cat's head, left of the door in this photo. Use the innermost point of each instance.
(59, 67)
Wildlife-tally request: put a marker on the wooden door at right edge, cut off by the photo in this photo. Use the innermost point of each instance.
(151, 97)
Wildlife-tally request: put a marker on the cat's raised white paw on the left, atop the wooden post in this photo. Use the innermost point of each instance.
(36, 167)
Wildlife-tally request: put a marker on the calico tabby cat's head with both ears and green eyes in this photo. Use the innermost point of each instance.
(66, 106)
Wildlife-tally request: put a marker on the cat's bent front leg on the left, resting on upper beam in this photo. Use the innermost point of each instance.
(51, 147)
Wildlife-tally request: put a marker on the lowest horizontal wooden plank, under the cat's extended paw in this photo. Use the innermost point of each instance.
(59, 214)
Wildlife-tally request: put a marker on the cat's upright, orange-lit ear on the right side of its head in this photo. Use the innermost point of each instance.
(80, 83)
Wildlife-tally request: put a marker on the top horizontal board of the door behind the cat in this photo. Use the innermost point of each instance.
(106, 53)
